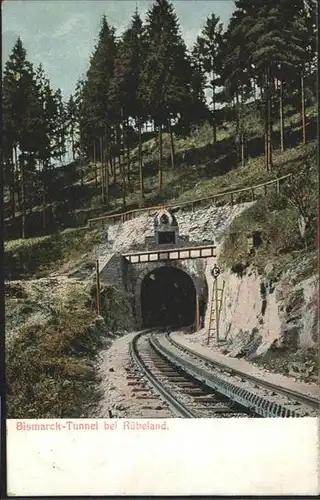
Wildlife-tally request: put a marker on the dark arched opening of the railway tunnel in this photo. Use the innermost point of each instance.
(168, 298)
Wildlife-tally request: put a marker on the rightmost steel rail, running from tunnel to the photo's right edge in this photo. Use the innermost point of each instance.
(302, 398)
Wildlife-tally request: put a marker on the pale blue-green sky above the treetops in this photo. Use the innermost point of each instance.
(61, 34)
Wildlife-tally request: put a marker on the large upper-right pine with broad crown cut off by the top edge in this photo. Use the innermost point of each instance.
(271, 48)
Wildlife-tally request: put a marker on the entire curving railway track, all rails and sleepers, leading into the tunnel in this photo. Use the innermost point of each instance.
(193, 386)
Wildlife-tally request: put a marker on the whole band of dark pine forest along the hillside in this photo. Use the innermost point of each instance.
(263, 61)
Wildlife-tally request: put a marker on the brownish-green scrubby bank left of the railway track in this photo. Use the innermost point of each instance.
(51, 369)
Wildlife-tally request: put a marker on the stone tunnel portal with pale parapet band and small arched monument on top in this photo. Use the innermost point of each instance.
(165, 276)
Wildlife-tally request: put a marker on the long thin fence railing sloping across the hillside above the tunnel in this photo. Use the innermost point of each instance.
(230, 195)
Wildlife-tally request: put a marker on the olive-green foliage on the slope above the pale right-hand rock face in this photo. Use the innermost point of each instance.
(277, 218)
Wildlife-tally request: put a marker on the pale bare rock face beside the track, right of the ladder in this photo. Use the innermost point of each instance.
(258, 315)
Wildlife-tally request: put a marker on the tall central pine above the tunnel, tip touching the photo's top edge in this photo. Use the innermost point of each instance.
(165, 77)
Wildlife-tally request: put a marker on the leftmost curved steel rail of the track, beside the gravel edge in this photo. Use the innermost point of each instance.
(178, 408)
